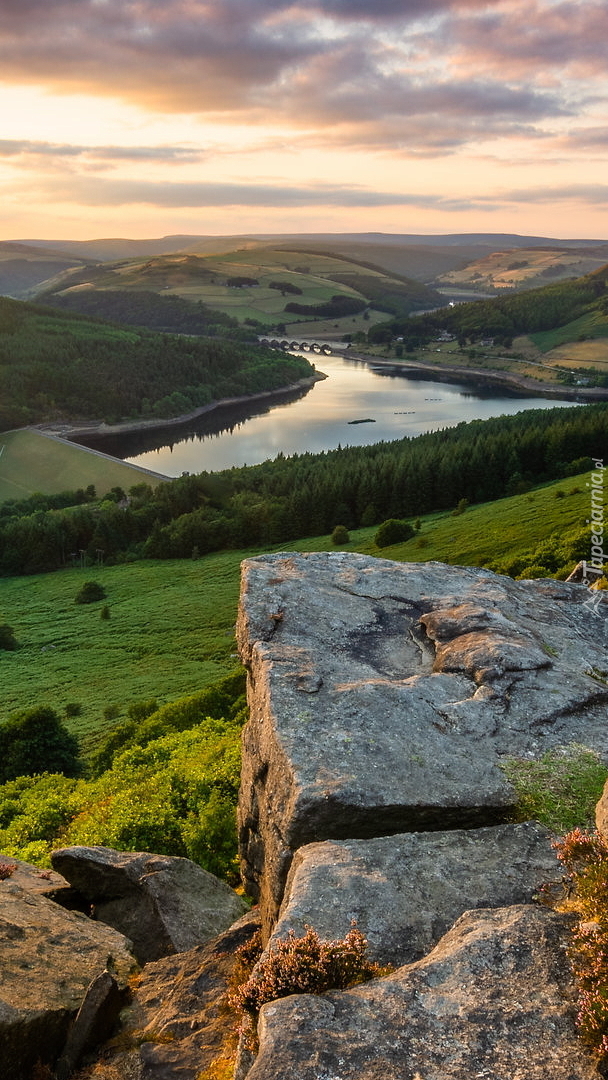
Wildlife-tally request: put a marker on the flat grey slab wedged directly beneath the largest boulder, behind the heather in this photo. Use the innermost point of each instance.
(406, 892)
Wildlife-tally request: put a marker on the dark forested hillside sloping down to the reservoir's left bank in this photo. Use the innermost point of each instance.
(55, 366)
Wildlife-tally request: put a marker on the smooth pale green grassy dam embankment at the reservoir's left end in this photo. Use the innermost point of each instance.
(31, 462)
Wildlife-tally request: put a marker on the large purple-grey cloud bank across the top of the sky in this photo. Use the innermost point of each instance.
(334, 65)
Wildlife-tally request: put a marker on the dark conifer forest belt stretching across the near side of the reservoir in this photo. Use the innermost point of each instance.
(308, 494)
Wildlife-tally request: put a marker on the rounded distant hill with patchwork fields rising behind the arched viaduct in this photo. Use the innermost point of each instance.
(253, 286)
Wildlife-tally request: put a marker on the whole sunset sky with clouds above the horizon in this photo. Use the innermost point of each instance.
(147, 118)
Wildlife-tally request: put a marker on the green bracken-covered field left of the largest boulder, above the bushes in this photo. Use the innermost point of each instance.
(170, 633)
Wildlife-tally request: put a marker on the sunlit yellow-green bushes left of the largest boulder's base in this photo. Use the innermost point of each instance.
(177, 796)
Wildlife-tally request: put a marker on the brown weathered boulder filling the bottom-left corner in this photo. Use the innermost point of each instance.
(50, 957)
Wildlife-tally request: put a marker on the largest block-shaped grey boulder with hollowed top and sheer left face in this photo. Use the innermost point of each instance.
(384, 697)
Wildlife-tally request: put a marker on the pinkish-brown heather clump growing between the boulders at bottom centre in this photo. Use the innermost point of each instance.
(307, 966)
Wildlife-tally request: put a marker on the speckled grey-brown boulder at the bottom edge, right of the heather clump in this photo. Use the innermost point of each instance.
(494, 1001)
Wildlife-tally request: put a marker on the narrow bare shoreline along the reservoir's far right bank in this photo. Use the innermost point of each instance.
(476, 375)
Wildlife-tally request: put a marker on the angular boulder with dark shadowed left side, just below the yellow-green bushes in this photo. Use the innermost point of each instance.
(163, 903)
